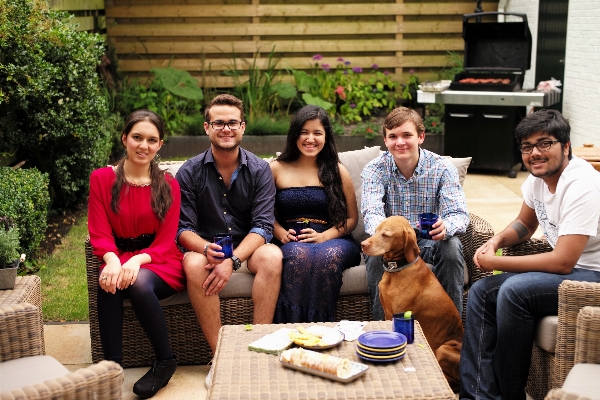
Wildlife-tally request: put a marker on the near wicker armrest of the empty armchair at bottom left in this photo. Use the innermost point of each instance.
(103, 380)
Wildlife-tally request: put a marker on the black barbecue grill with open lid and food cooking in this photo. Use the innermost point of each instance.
(485, 102)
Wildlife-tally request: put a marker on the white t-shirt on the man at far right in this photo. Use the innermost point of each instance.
(574, 209)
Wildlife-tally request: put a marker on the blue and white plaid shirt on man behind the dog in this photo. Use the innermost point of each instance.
(434, 187)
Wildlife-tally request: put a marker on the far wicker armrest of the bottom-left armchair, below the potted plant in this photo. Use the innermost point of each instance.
(20, 334)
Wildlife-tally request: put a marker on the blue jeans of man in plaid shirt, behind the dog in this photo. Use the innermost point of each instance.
(448, 266)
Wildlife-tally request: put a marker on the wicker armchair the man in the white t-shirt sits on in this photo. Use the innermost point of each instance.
(549, 370)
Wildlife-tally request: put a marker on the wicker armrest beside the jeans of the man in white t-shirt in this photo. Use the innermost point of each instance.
(572, 297)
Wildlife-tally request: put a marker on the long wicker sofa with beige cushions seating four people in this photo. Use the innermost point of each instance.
(186, 336)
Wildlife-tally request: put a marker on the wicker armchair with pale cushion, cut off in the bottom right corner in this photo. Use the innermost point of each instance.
(578, 384)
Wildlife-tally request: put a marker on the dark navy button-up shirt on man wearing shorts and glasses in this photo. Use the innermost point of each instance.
(208, 207)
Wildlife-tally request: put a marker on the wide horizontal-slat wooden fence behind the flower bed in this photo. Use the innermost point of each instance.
(213, 38)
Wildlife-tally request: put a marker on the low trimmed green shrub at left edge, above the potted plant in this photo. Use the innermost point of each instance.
(24, 198)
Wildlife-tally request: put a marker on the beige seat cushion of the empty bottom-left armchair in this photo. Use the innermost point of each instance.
(27, 371)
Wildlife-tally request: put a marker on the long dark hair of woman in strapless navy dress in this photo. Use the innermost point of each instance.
(327, 161)
